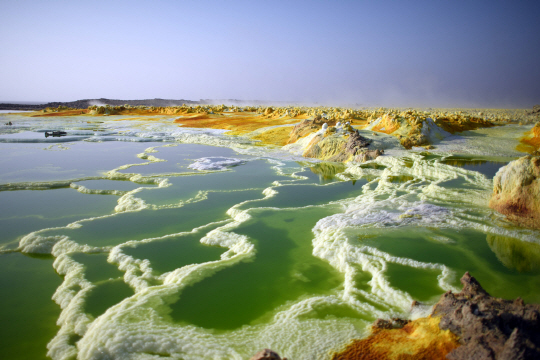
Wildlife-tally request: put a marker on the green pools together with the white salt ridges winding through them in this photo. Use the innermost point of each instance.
(131, 250)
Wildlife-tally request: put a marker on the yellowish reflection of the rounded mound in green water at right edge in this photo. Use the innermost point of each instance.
(515, 254)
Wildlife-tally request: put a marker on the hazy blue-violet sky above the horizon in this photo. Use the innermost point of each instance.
(369, 53)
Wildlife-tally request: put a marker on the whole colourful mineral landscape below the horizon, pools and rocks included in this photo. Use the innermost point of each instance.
(215, 232)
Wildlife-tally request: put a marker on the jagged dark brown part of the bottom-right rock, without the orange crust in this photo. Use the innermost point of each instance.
(488, 327)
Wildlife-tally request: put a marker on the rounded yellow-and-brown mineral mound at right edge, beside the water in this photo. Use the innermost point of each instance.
(516, 191)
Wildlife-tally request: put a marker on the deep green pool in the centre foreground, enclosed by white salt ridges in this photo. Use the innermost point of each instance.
(282, 270)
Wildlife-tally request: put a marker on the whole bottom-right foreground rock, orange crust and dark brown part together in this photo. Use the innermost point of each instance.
(468, 325)
